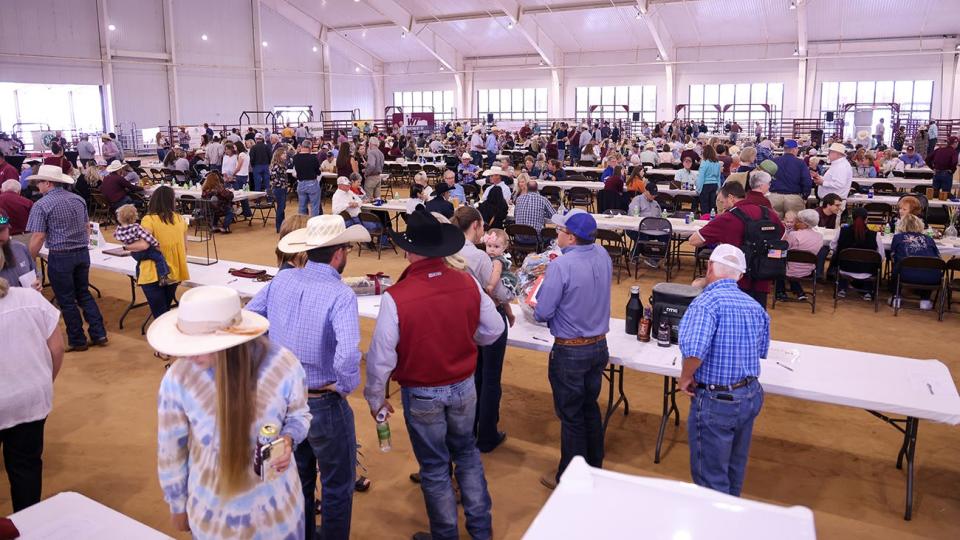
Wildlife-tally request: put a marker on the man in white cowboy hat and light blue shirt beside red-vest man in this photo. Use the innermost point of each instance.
(314, 315)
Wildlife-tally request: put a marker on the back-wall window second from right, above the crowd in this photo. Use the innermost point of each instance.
(743, 102)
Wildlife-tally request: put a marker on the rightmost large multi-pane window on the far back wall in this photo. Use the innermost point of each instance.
(914, 97)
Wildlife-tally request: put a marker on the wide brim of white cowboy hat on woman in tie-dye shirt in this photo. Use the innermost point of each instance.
(166, 338)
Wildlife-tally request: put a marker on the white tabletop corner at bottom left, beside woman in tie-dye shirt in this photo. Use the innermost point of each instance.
(71, 515)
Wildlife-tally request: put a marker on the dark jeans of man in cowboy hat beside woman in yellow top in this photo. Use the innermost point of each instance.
(69, 274)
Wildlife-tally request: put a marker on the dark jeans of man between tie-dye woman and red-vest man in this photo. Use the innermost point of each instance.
(331, 445)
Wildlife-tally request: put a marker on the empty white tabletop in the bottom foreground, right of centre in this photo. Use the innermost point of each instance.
(682, 510)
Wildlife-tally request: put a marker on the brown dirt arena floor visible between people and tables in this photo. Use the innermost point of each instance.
(838, 461)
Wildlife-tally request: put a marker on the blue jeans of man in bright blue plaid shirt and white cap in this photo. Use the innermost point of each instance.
(719, 428)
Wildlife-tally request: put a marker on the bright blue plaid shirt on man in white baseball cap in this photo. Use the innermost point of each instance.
(728, 331)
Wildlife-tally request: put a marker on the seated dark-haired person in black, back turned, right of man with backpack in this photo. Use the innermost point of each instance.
(855, 235)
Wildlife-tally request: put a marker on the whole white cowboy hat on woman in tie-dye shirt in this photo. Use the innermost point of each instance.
(208, 320)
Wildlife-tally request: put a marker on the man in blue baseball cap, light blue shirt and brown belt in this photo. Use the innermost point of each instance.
(574, 301)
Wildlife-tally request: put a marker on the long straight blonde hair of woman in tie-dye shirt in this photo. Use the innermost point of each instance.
(236, 378)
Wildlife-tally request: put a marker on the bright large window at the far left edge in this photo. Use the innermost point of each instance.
(66, 107)
